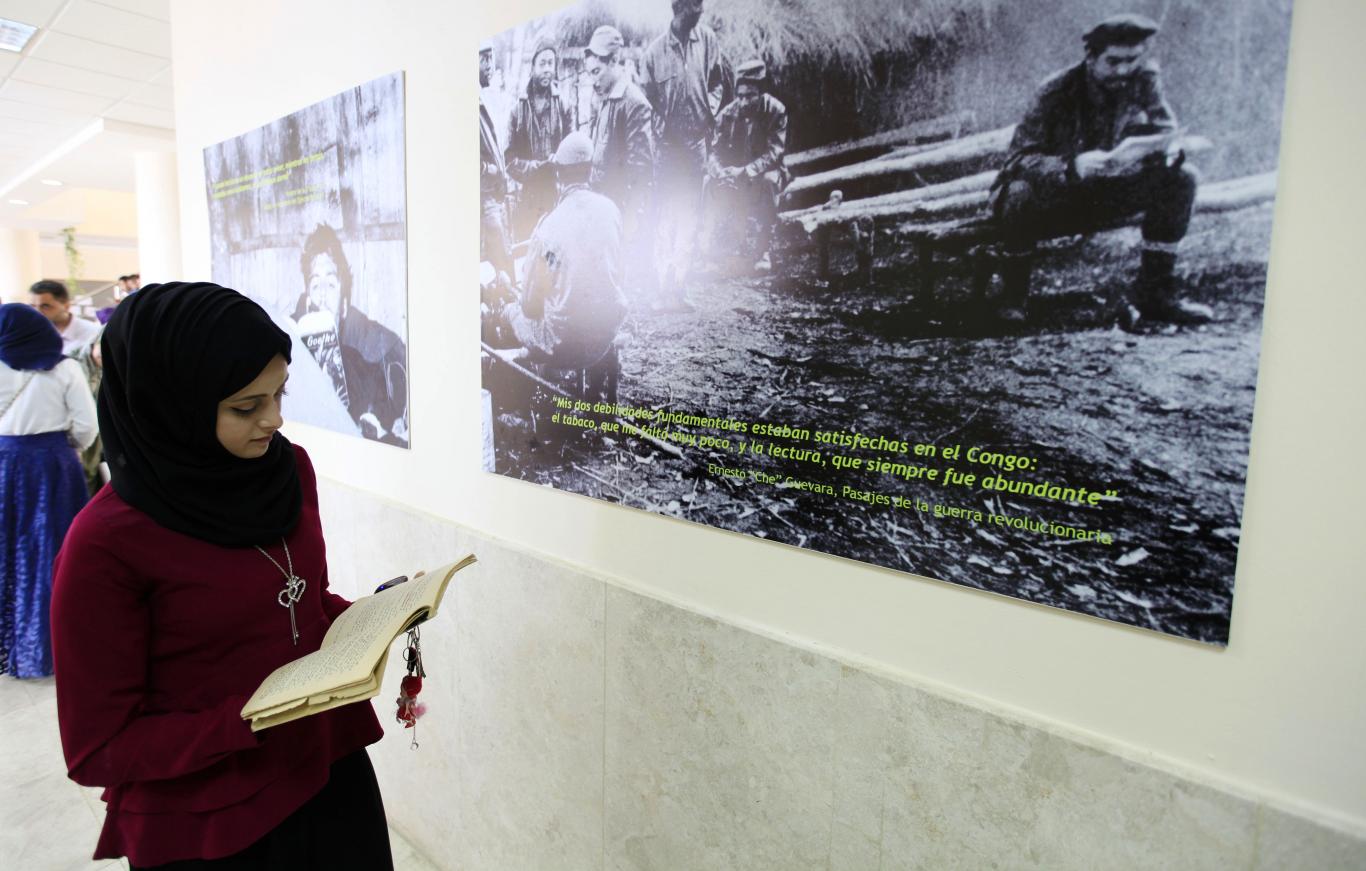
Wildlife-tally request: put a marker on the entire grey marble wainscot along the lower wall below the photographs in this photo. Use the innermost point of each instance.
(576, 724)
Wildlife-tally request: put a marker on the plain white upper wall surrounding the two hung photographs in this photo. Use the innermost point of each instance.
(1281, 712)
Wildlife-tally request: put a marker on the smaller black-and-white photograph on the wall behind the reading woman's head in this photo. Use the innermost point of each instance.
(309, 219)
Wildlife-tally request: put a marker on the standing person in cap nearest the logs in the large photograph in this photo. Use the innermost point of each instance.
(745, 171)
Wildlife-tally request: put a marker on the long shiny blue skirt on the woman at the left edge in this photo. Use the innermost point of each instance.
(42, 491)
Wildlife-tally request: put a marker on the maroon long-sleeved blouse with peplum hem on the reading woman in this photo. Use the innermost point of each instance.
(159, 640)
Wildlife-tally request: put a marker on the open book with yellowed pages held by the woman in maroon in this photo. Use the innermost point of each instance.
(350, 664)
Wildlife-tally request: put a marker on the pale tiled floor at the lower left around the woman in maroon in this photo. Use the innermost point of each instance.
(50, 824)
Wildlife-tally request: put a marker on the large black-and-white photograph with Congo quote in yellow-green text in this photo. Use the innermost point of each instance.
(972, 291)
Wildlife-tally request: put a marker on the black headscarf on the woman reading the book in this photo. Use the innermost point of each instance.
(171, 354)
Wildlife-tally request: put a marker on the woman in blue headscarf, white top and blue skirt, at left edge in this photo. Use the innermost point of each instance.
(47, 414)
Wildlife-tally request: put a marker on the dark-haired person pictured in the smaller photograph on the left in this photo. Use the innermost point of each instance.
(365, 360)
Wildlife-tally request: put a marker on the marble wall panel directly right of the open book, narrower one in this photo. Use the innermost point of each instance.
(532, 664)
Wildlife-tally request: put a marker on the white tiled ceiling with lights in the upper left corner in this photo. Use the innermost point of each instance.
(91, 89)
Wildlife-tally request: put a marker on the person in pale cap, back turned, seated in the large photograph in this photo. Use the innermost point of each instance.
(572, 302)
